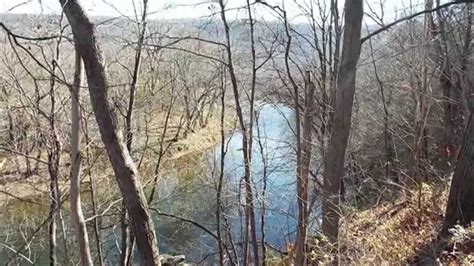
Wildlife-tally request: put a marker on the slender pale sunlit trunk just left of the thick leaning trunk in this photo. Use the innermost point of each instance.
(76, 209)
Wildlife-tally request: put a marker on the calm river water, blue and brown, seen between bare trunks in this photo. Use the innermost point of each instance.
(190, 193)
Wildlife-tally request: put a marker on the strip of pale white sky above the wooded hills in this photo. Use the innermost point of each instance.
(173, 9)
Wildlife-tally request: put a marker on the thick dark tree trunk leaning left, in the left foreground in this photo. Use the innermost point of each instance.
(125, 170)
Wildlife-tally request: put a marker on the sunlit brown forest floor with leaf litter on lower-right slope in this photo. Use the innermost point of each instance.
(406, 232)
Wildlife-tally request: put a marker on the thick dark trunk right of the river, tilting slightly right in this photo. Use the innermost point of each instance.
(334, 163)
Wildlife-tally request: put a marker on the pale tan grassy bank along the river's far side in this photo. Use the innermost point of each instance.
(18, 187)
